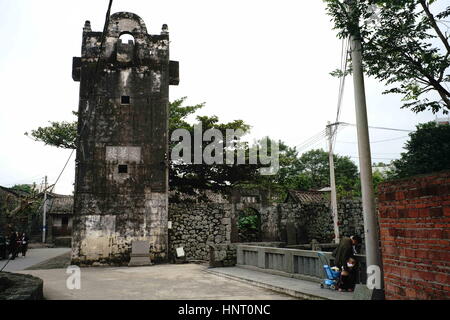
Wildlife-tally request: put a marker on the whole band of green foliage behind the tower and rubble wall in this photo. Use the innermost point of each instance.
(306, 172)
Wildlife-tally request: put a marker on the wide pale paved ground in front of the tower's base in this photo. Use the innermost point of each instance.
(165, 282)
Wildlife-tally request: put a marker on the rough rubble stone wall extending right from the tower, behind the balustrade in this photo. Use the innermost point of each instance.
(197, 226)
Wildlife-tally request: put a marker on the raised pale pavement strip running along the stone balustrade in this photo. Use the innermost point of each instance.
(298, 288)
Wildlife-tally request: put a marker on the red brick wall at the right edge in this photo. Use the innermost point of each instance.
(415, 236)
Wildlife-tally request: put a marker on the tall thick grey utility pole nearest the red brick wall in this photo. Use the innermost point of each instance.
(373, 255)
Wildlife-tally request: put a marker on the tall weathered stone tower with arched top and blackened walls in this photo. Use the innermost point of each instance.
(121, 184)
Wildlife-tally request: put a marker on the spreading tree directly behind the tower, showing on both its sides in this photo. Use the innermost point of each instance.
(184, 176)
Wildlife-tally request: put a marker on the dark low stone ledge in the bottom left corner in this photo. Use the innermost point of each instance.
(15, 286)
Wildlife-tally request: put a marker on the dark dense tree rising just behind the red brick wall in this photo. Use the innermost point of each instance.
(428, 150)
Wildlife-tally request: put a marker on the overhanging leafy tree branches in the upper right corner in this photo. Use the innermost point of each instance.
(404, 45)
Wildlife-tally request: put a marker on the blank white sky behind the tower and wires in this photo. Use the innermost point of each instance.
(266, 62)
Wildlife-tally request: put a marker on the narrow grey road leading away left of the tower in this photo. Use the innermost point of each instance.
(33, 256)
